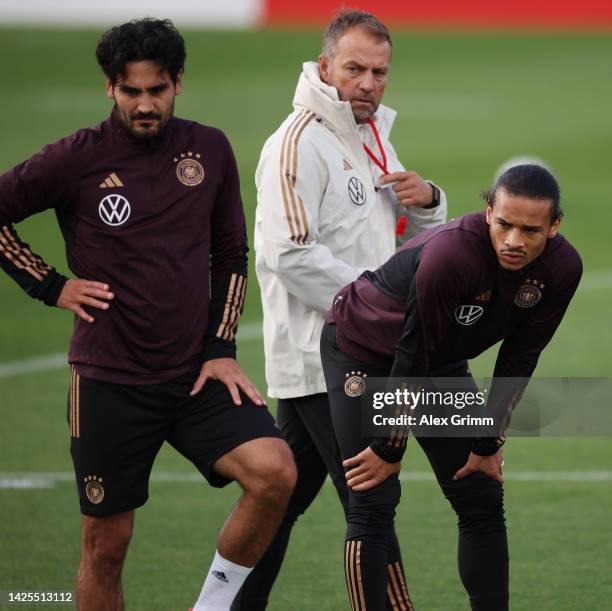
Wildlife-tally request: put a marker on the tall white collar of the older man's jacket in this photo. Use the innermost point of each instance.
(313, 94)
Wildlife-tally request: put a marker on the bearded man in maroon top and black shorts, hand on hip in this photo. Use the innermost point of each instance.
(149, 206)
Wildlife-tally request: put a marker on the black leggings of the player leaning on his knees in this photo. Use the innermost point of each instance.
(477, 500)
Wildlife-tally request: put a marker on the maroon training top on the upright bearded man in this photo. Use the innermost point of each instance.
(161, 222)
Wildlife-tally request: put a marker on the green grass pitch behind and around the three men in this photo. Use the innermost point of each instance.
(466, 103)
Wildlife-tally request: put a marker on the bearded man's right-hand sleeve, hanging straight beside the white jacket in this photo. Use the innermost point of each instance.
(228, 265)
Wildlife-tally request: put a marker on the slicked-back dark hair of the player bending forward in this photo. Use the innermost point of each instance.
(528, 180)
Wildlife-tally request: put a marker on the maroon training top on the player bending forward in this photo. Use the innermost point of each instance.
(443, 298)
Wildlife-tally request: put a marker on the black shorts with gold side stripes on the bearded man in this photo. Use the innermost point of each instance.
(117, 430)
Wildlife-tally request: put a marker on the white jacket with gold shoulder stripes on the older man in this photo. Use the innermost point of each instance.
(319, 224)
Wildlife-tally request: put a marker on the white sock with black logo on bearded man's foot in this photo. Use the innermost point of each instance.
(222, 583)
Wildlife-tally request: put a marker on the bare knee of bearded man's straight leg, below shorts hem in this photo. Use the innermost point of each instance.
(105, 545)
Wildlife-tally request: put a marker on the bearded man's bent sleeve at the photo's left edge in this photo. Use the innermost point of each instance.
(40, 183)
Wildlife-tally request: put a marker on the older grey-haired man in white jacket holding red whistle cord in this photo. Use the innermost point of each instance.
(332, 195)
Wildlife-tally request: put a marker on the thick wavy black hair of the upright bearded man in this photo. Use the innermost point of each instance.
(141, 39)
